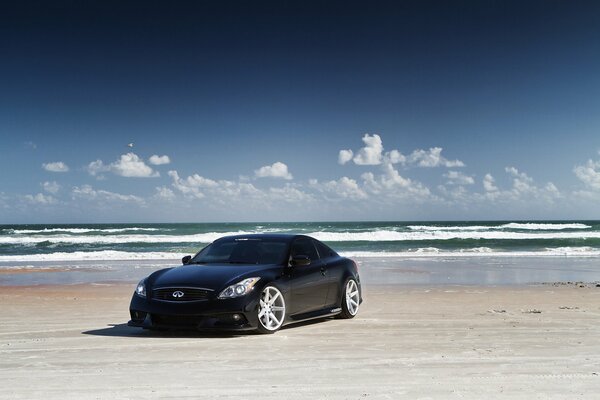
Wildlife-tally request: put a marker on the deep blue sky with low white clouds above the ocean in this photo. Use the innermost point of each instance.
(252, 103)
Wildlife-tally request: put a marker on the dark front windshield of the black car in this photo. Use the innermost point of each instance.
(243, 251)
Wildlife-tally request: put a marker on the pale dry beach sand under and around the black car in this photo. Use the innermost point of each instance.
(542, 342)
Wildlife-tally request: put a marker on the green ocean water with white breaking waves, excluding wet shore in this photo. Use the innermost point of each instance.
(30, 243)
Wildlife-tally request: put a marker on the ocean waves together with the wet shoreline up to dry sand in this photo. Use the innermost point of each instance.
(404, 253)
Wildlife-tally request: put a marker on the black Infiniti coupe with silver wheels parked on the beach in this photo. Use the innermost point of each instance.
(249, 282)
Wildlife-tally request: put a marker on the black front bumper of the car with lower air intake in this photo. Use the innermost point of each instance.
(238, 314)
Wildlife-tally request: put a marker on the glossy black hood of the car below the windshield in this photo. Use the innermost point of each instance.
(210, 276)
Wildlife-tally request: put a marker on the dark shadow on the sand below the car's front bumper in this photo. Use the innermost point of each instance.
(123, 330)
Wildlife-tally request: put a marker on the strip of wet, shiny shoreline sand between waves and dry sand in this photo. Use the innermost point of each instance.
(484, 271)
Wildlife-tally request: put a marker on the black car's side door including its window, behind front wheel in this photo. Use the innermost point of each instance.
(309, 283)
